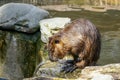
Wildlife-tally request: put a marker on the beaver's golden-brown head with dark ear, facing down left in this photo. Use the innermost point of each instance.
(55, 48)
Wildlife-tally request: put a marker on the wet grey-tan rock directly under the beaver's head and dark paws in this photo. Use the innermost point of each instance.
(54, 69)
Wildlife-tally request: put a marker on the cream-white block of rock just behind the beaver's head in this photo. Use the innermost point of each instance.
(51, 26)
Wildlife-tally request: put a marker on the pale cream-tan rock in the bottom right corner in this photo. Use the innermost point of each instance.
(110, 72)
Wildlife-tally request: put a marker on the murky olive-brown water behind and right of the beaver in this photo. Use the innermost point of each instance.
(109, 25)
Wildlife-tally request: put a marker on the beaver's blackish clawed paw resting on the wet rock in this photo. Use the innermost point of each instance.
(68, 68)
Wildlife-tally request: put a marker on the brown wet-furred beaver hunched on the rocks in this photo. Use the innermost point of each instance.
(81, 39)
